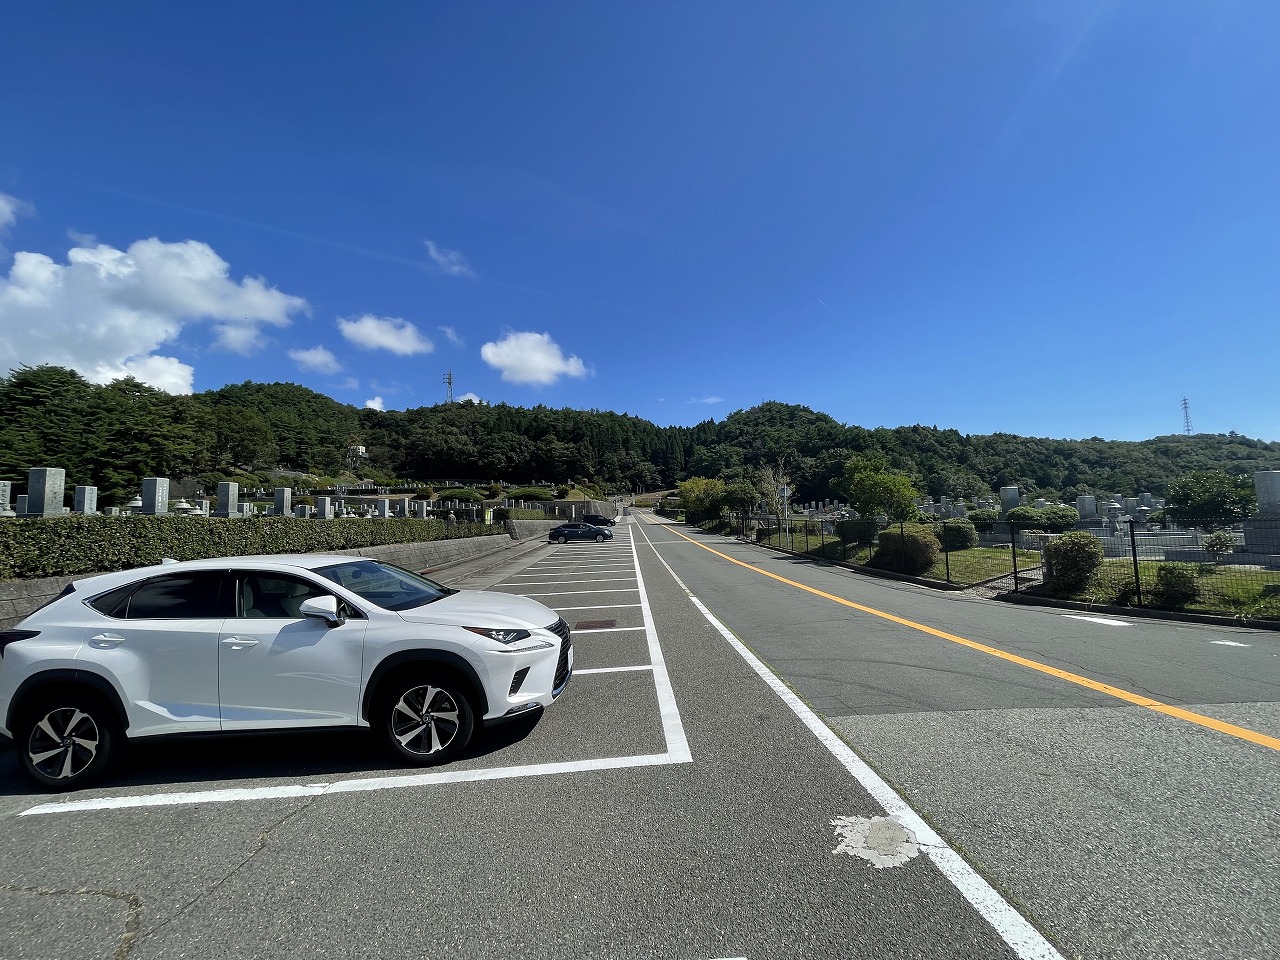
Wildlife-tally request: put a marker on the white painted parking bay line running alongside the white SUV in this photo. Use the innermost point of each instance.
(350, 787)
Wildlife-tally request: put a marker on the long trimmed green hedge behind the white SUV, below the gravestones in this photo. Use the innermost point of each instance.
(70, 546)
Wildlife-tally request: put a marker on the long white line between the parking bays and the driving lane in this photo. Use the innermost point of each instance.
(1023, 939)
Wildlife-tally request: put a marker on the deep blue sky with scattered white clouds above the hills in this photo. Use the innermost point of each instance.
(1053, 220)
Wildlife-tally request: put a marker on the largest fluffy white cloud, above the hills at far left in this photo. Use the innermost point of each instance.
(107, 313)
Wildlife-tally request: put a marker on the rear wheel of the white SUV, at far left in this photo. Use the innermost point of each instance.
(67, 739)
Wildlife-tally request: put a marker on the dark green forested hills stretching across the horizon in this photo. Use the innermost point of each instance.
(115, 436)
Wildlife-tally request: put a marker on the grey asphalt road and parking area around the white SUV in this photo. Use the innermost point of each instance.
(674, 804)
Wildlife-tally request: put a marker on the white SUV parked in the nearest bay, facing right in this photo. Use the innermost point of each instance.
(271, 643)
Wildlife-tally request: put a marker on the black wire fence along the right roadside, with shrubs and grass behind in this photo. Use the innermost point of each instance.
(1204, 566)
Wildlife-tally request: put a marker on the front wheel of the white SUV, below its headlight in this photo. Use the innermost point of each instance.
(424, 717)
